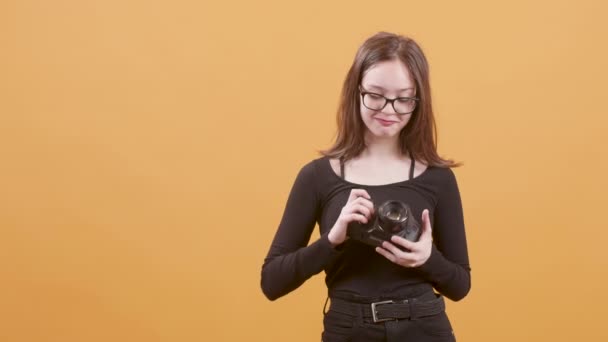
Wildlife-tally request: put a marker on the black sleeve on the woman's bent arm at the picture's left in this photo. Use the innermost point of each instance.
(290, 262)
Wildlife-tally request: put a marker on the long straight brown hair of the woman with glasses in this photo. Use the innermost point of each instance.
(419, 136)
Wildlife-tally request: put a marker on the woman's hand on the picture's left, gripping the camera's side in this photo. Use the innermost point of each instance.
(359, 207)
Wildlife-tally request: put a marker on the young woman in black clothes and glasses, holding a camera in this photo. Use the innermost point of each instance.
(385, 149)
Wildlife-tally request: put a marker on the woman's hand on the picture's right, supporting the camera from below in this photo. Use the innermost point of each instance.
(419, 252)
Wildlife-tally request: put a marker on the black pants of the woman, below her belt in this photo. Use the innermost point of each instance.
(340, 326)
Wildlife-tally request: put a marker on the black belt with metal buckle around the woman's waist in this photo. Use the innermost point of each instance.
(388, 310)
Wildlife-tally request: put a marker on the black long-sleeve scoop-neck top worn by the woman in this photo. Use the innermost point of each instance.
(317, 197)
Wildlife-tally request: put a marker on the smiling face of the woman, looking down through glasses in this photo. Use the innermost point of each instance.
(390, 79)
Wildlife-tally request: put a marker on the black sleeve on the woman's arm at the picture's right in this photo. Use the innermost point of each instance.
(448, 266)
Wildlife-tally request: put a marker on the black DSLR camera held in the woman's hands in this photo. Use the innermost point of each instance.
(390, 218)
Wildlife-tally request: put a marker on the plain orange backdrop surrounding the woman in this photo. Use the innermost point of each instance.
(147, 150)
